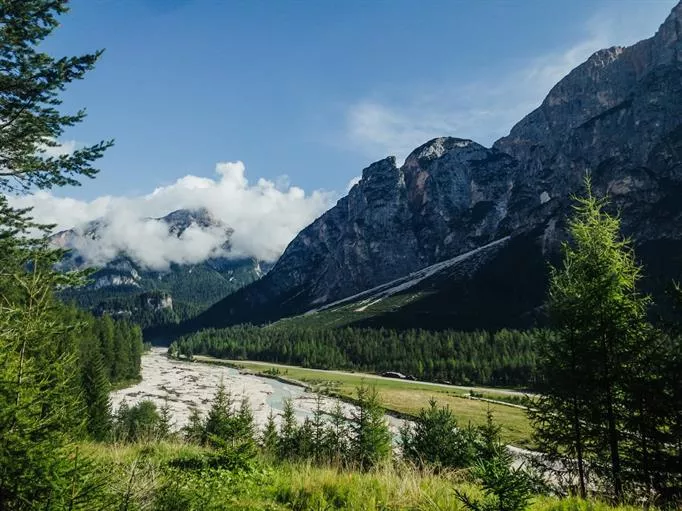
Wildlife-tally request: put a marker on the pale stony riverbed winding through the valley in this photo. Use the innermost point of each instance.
(184, 385)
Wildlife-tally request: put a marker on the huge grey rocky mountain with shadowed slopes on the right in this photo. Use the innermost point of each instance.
(618, 116)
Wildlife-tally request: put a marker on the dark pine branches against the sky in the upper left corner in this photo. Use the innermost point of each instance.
(30, 83)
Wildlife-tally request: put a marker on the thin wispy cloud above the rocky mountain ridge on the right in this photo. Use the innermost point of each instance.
(484, 110)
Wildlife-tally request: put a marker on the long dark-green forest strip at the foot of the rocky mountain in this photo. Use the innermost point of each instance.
(504, 358)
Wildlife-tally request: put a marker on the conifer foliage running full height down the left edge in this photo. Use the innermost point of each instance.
(42, 367)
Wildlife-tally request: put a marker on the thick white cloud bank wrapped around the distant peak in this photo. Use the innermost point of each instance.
(265, 217)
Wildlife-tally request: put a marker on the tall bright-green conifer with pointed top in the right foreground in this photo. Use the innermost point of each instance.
(601, 323)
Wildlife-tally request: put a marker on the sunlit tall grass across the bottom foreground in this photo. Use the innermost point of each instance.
(139, 476)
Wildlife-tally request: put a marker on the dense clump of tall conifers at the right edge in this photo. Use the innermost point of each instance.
(608, 408)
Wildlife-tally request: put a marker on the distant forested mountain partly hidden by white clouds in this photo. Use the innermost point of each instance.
(124, 286)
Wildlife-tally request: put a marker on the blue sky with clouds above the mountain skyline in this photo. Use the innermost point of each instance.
(295, 98)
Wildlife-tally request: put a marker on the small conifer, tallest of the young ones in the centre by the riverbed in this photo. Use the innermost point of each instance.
(370, 440)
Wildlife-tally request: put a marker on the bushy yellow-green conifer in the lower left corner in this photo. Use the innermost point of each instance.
(40, 406)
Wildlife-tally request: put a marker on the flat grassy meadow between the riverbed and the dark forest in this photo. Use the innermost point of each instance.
(404, 397)
